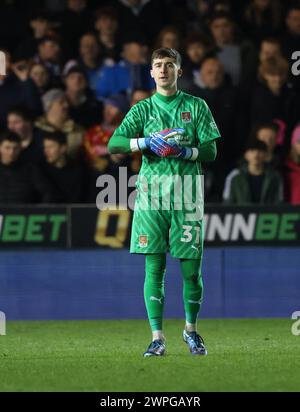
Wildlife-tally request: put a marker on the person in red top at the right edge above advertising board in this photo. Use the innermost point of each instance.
(292, 170)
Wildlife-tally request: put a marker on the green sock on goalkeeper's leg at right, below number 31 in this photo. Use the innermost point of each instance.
(192, 288)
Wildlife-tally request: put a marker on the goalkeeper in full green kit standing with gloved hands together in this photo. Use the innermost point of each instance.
(177, 132)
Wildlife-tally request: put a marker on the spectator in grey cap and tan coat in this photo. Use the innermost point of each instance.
(57, 118)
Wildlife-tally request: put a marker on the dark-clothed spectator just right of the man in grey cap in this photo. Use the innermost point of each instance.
(84, 109)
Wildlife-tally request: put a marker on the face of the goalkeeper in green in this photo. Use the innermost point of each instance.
(165, 72)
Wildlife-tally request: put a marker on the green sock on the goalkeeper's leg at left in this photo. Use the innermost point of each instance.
(154, 289)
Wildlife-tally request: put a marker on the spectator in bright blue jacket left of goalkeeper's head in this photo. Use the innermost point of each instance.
(131, 73)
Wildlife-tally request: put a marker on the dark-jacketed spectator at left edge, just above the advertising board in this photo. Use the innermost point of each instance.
(20, 182)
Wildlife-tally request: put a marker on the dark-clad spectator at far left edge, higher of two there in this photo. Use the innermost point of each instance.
(16, 88)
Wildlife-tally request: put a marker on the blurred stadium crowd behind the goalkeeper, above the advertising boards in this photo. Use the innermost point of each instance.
(74, 69)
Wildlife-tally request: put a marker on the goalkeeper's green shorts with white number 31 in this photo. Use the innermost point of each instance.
(160, 231)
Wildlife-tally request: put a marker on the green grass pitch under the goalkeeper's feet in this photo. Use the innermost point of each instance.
(243, 355)
